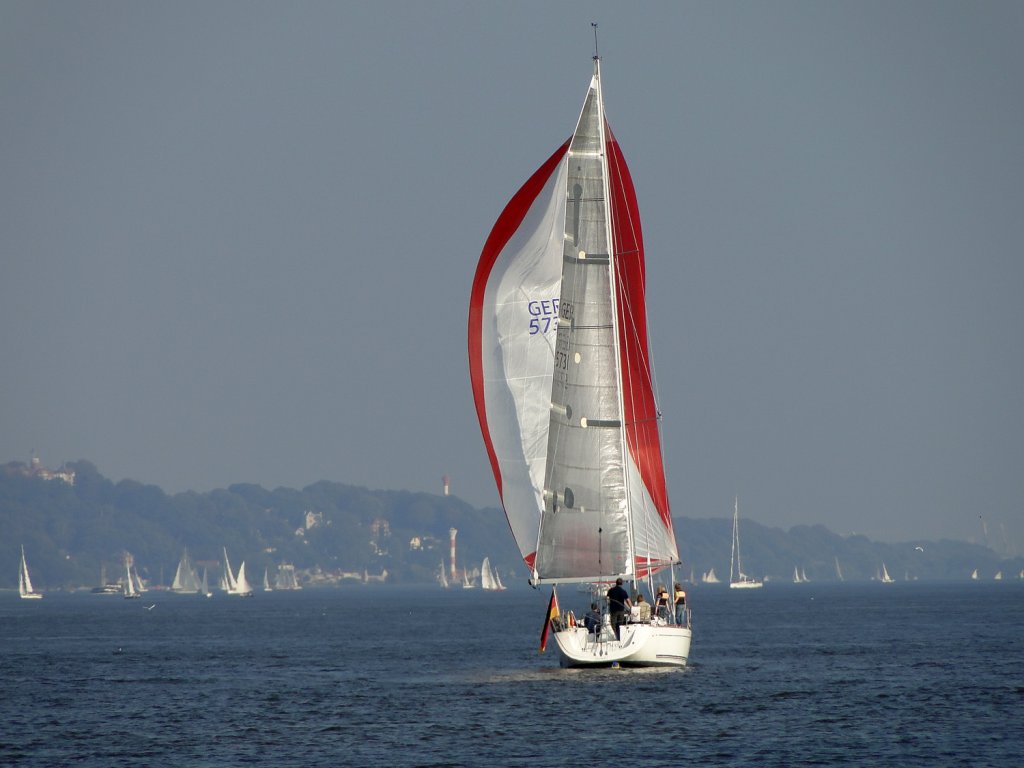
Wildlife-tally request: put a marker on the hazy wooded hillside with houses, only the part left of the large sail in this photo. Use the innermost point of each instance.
(73, 532)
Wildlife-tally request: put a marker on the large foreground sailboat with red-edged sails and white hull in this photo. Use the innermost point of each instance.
(562, 375)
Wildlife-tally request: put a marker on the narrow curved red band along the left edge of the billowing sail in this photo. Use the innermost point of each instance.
(505, 228)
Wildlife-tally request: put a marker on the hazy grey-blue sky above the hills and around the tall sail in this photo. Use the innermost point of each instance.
(238, 241)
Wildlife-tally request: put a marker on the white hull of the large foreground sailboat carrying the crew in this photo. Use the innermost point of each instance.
(639, 646)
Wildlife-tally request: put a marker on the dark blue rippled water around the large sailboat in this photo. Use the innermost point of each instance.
(869, 675)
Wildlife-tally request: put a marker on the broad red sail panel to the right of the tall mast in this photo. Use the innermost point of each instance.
(638, 393)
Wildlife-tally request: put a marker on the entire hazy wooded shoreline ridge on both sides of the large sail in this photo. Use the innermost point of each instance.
(73, 532)
